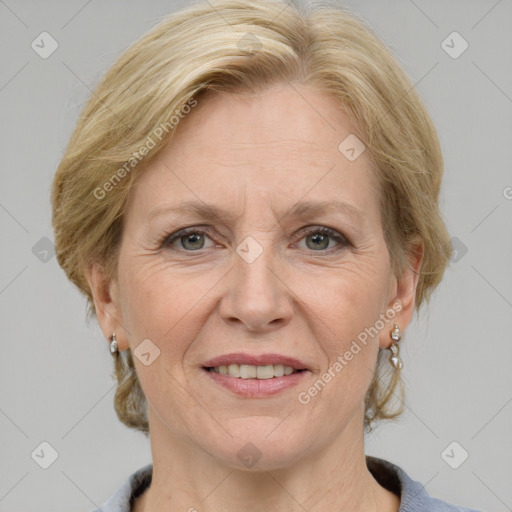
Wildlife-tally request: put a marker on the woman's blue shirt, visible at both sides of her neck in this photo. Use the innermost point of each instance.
(413, 496)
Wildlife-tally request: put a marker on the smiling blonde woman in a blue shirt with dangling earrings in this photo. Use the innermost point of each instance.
(249, 203)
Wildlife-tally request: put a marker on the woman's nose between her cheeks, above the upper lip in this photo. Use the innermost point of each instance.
(258, 294)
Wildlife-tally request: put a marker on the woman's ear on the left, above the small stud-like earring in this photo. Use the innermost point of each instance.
(105, 296)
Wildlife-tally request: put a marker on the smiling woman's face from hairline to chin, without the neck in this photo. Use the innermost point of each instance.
(294, 265)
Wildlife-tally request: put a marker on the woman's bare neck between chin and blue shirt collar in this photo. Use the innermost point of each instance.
(337, 478)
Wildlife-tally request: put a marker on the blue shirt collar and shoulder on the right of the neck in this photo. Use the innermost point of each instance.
(413, 495)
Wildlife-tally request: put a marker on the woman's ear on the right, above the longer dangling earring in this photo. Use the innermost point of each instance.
(403, 293)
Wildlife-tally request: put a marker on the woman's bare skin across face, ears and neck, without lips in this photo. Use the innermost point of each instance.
(256, 155)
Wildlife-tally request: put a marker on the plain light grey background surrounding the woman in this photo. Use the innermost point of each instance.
(55, 371)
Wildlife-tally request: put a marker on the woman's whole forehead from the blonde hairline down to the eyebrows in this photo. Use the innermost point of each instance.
(276, 146)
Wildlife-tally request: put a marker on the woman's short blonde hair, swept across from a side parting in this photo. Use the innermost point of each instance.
(235, 46)
